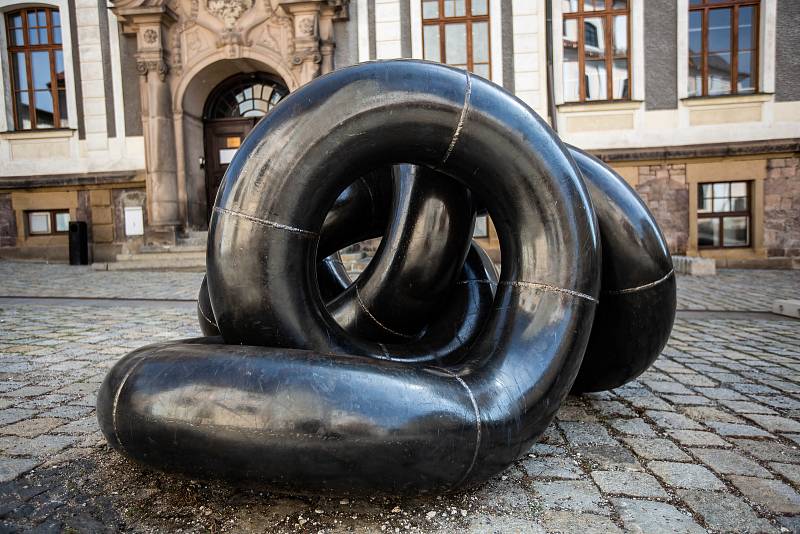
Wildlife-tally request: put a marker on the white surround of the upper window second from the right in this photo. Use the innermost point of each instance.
(637, 55)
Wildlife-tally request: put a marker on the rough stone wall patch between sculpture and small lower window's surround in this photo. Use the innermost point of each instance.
(663, 188)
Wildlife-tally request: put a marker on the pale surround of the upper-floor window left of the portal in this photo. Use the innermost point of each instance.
(6, 117)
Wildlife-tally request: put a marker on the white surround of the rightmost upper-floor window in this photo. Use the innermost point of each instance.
(767, 15)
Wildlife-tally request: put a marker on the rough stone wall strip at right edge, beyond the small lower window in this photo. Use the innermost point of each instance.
(782, 208)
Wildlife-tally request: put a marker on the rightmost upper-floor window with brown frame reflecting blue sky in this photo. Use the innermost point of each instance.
(723, 47)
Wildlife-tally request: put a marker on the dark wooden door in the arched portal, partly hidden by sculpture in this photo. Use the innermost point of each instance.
(222, 139)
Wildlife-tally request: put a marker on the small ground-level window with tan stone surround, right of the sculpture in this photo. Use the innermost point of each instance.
(723, 215)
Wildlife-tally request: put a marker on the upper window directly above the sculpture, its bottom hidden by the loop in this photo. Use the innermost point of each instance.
(456, 32)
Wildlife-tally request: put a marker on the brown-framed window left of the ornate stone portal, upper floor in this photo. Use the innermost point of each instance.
(37, 68)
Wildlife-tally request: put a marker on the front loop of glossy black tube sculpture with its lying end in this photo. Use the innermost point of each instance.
(290, 398)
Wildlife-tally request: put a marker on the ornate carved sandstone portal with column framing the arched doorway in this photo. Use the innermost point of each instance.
(177, 39)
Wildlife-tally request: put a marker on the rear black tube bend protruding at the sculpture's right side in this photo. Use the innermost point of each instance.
(637, 299)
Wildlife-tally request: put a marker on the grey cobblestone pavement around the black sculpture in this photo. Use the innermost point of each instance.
(706, 440)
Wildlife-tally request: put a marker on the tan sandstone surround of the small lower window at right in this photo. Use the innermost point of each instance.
(748, 170)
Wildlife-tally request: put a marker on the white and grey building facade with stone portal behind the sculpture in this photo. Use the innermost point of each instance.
(125, 113)
